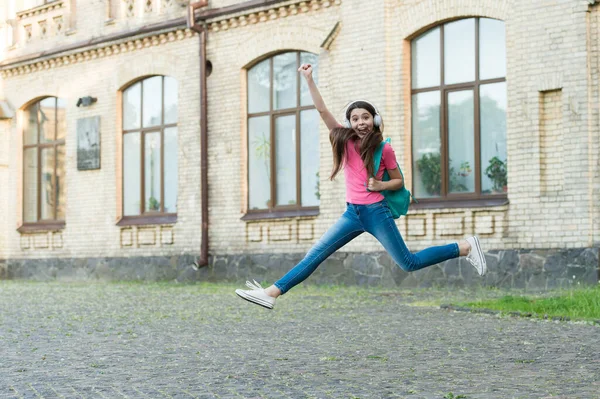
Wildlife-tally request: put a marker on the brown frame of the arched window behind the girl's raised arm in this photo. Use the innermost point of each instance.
(279, 211)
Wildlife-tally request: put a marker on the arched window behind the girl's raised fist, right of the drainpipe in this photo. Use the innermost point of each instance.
(283, 136)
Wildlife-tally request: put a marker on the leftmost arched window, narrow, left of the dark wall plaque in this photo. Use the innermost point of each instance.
(44, 131)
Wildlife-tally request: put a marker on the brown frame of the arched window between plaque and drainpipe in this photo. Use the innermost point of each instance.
(145, 216)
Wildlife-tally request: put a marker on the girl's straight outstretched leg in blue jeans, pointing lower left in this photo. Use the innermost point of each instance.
(338, 235)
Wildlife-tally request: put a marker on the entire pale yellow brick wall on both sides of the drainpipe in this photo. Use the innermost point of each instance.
(546, 53)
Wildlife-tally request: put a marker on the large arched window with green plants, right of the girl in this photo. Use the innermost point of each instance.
(459, 111)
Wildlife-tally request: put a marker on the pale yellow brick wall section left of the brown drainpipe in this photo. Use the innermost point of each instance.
(92, 208)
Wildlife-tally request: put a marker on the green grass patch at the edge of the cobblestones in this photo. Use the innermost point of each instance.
(578, 304)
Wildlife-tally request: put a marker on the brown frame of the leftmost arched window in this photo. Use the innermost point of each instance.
(42, 224)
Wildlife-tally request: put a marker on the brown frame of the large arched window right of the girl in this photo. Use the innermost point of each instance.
(454, 200)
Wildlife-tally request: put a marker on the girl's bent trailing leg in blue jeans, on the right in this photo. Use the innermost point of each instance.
(386, 231)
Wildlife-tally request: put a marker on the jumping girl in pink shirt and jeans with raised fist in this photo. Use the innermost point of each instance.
(353, 145)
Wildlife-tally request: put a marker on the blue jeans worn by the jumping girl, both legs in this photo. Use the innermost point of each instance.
(377, 220)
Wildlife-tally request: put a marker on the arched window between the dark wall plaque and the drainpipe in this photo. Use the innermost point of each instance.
(150, 147)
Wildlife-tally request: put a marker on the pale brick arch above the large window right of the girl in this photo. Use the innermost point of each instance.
(420, 17)
